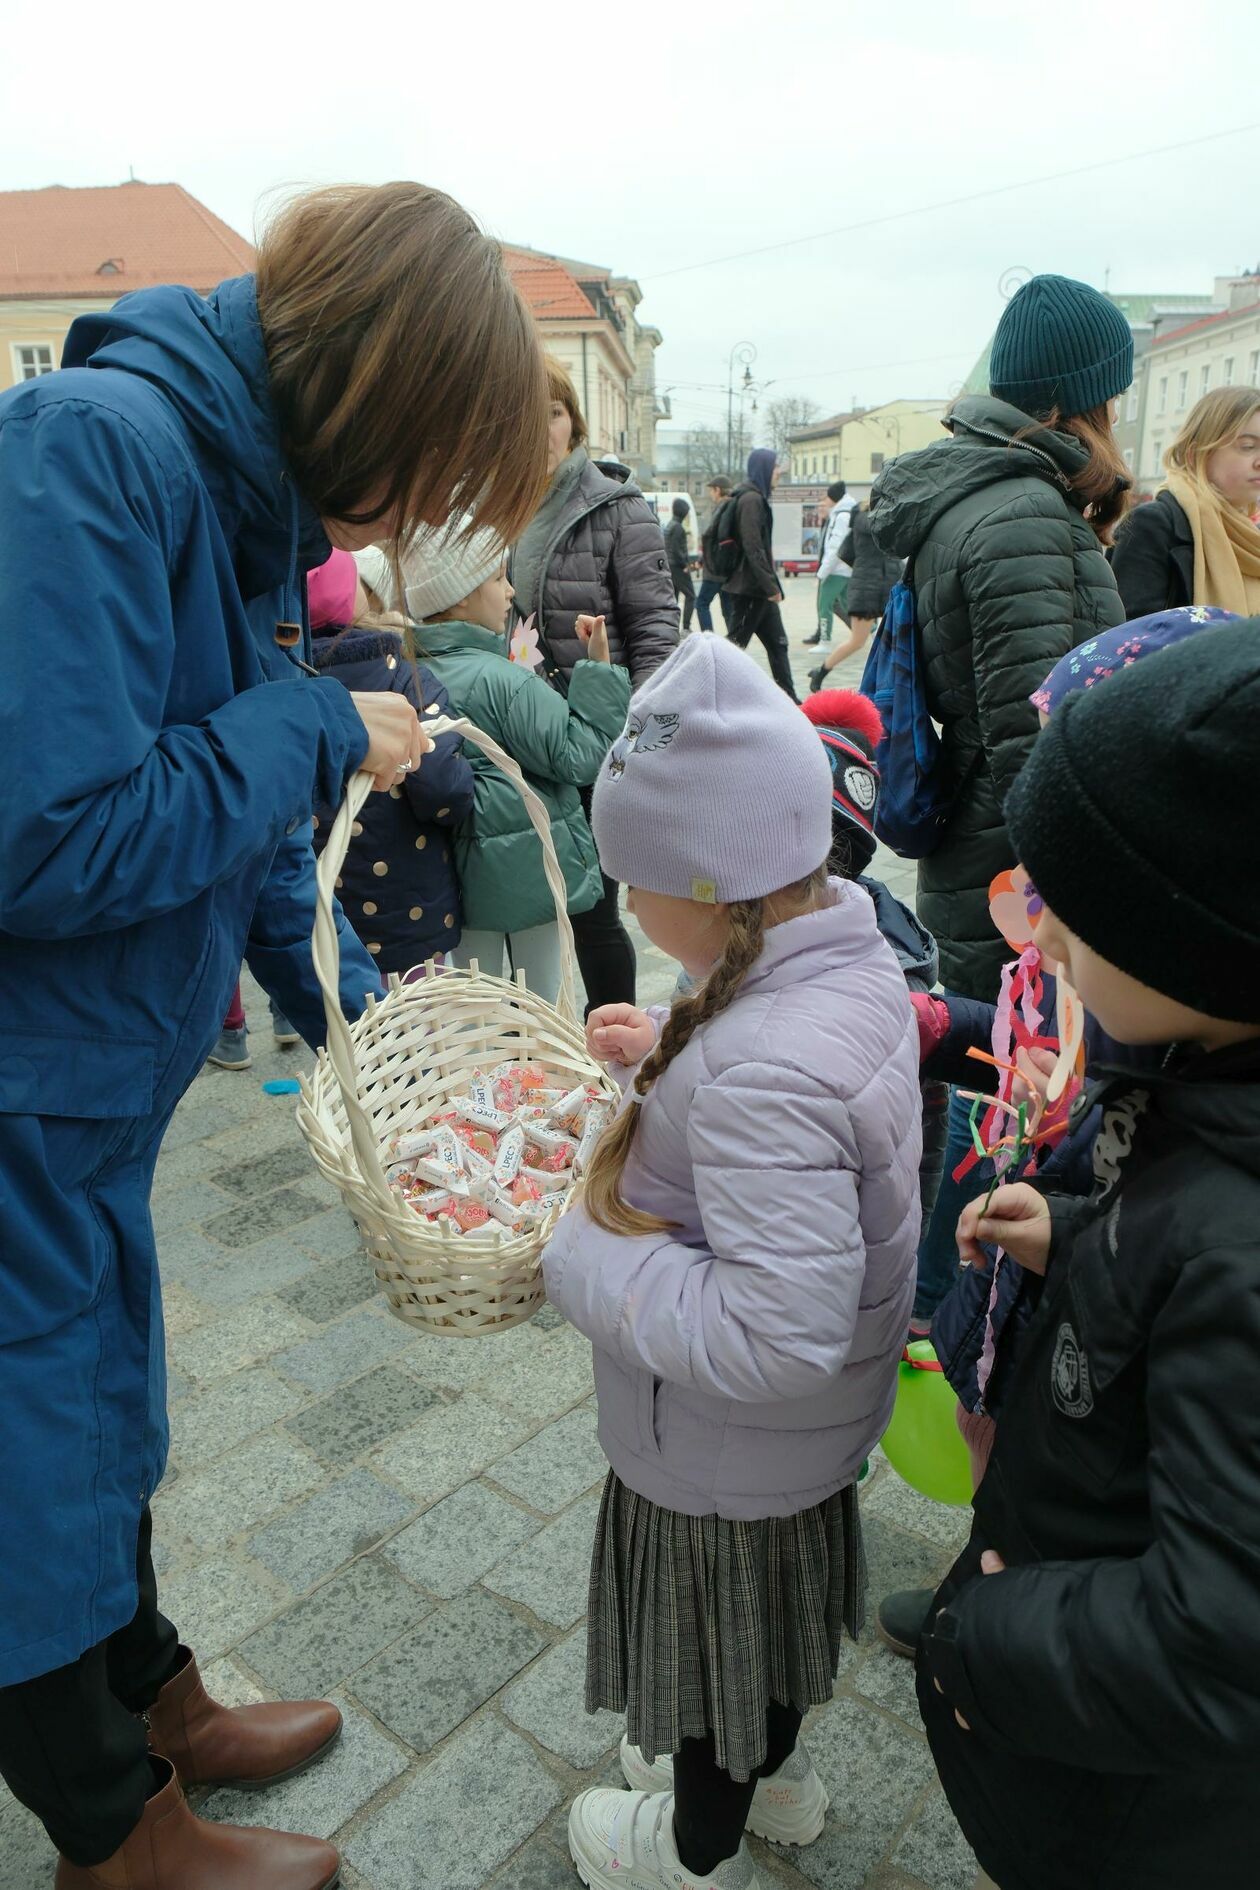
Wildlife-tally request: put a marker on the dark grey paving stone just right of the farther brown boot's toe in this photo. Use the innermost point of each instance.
(426, 1685)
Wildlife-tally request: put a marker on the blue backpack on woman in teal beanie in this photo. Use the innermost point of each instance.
(913, 802)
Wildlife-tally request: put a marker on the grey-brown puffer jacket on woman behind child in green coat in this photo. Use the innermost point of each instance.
(607, 558)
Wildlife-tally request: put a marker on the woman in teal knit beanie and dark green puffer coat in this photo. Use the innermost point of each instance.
(1004, 526)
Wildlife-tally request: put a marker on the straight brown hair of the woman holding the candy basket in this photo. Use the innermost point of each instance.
(405, 368)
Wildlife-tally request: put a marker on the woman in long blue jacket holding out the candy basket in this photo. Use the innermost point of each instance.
(163, 498)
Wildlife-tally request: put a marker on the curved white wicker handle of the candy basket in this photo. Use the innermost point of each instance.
(328, 954)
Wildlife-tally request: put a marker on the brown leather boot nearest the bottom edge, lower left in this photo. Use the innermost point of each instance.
(171, 1849)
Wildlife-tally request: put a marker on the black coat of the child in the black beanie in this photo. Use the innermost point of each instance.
(1112, 1677)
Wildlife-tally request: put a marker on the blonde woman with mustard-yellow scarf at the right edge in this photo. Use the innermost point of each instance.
(1197, 541)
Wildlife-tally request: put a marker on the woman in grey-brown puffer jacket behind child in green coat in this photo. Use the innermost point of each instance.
(594, 551)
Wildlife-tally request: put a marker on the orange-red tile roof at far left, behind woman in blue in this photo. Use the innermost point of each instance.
(67, 243)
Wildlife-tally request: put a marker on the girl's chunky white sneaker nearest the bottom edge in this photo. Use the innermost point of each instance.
(626, 1842)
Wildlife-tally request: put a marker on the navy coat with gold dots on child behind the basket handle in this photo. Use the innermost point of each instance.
(411, 910)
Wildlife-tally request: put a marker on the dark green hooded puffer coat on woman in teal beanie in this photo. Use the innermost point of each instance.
(1008, 579)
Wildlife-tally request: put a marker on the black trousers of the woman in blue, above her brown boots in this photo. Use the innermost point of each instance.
(71, 1745)
